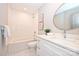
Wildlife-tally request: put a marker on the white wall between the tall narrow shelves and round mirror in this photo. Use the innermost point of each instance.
(49, 12)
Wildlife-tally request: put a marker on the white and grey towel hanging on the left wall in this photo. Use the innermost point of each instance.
(5, 34)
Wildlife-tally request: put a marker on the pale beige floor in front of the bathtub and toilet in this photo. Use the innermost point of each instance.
(25, 52)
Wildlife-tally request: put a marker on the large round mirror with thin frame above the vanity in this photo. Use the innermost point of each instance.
(67, 17)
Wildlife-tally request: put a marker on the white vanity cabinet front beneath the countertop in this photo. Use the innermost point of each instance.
(47, 48)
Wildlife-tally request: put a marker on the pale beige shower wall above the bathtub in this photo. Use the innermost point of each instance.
(21, 26)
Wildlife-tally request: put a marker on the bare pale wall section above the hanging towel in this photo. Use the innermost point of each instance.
(3, 14)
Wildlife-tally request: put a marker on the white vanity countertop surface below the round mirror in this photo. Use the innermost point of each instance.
(65, 42)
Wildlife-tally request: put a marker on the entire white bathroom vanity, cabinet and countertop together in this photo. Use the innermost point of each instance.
(56, 46)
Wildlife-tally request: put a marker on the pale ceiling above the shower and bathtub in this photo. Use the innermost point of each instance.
(27, 7)
